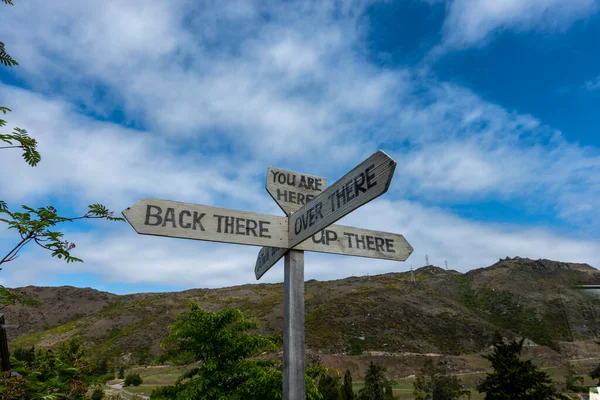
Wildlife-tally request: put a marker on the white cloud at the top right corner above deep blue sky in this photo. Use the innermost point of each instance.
(473, 22)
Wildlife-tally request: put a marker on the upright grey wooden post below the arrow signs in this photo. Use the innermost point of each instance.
(293, 326)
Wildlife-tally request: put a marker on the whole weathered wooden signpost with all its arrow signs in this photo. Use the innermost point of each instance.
(310, 209)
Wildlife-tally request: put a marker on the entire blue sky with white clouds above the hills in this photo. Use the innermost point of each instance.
(489, 107)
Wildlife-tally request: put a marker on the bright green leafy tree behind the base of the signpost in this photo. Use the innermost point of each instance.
(229, 368)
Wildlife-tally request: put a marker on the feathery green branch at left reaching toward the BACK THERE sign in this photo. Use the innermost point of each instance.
(34, 225)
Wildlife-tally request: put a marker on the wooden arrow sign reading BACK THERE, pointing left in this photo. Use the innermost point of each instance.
(195, 221)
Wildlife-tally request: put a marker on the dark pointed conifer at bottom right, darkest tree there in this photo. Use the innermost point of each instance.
(513, 378)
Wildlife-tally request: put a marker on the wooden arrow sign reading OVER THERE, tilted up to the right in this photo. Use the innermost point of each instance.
(368, 180)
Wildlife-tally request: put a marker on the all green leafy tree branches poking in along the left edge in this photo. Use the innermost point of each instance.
(35, 225)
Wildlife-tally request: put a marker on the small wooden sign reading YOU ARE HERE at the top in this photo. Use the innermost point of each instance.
(292, 190)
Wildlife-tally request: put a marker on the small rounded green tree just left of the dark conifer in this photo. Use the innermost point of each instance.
(434, 382)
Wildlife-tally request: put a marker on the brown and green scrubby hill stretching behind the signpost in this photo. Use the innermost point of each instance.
(443, 312)
